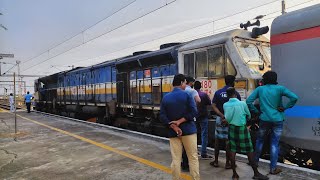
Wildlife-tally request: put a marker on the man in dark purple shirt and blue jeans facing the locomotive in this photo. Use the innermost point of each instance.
(202, 119)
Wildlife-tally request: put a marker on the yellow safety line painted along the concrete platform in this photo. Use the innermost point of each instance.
(136, 158)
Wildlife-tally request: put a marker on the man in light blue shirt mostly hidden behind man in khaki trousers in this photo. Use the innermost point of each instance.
(194, 95)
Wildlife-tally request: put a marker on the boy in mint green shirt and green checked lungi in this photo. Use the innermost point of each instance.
(236, 113)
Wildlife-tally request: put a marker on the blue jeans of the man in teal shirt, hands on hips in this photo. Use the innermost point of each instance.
(276, 131)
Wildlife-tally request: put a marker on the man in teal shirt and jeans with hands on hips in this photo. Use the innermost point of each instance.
(271, 115)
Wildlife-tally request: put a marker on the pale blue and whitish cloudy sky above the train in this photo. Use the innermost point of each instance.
(51, 36)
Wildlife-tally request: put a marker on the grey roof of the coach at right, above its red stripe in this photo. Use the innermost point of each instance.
(297, 20)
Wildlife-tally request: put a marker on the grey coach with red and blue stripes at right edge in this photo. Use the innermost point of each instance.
(295, 42)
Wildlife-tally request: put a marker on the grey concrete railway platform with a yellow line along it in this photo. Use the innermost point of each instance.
(51, 147)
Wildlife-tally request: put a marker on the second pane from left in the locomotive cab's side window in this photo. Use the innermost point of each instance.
(202, 64)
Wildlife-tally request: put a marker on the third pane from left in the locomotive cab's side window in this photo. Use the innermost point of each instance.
(215, 61)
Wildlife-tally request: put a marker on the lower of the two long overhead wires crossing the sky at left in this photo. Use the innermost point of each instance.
(103, 34)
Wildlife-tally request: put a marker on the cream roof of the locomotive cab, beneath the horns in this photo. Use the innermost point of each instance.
(218, 39)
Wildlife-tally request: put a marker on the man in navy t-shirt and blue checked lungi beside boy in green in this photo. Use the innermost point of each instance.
(221, 133)
